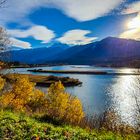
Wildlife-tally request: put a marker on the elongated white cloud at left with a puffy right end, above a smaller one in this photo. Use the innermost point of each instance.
(41, 33)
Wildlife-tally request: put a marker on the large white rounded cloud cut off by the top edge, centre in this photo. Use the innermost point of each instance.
(84, 10)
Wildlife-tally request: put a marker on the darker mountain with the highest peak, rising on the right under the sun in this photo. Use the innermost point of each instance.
(109, 50)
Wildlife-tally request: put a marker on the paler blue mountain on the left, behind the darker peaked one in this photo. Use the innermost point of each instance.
(33, 56)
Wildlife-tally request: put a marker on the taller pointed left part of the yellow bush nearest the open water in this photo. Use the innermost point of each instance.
(56, 101)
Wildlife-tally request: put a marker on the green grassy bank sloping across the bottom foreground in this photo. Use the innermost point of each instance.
(15, 126)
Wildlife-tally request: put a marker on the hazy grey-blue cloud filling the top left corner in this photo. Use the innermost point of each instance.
(16, 11)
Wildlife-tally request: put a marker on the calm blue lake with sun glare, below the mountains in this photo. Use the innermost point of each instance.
(99, 92)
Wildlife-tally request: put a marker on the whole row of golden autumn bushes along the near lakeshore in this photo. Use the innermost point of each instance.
(57, 105)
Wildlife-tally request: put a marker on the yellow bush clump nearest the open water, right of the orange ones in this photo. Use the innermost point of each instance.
(63, 106)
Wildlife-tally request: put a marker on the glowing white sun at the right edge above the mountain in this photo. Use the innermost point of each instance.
(134, 23)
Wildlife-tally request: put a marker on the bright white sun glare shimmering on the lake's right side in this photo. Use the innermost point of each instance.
(122, 97)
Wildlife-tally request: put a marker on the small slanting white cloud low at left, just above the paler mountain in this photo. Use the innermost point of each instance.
(21, 44)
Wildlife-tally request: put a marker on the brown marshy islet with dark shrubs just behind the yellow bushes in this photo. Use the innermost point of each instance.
(45, 81)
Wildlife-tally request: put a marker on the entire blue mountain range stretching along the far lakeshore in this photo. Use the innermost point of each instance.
(109, 51)
